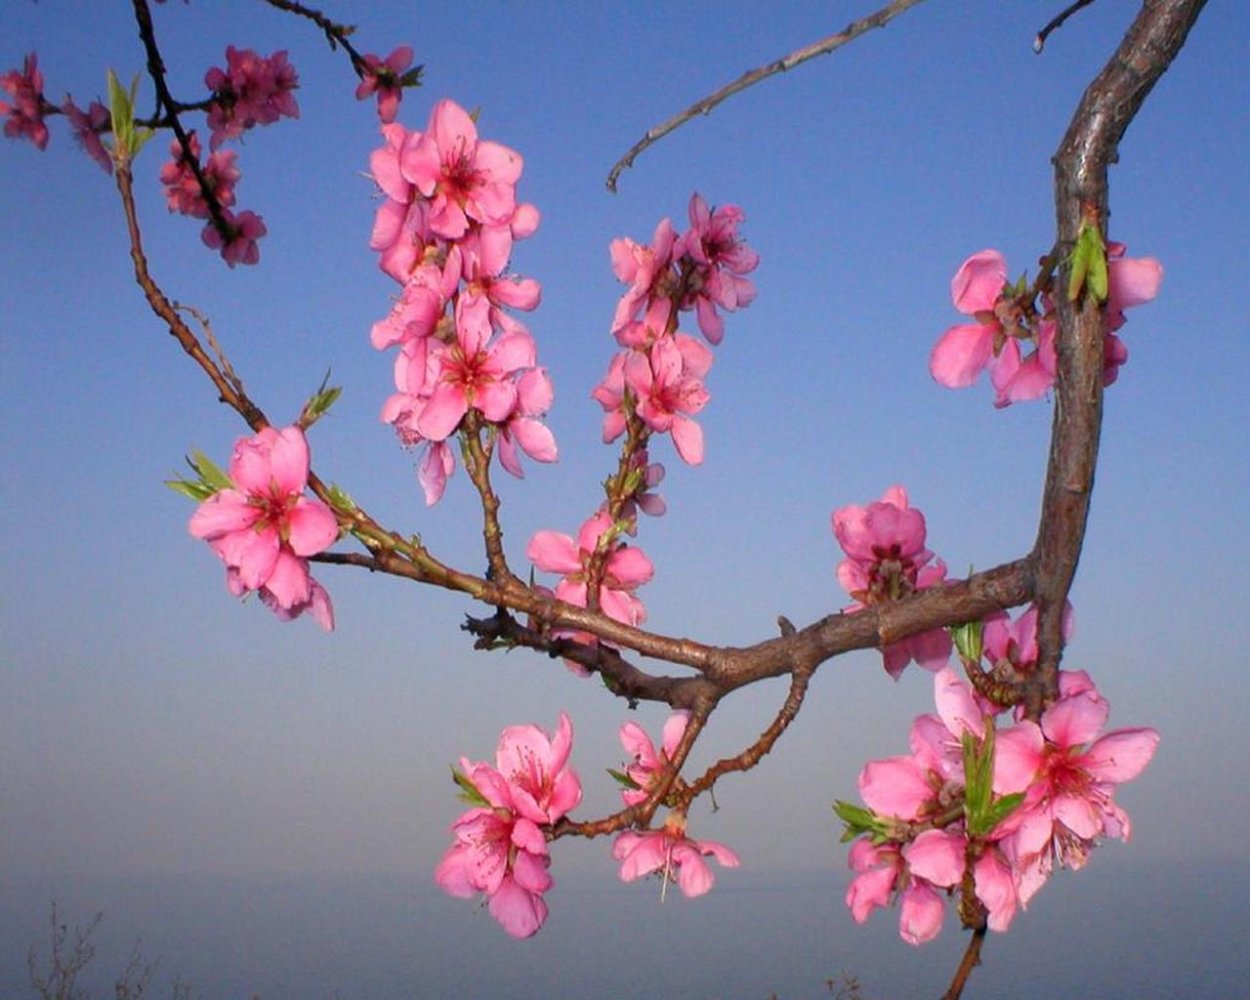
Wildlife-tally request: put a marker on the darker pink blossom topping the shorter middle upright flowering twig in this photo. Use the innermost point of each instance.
(721, 262)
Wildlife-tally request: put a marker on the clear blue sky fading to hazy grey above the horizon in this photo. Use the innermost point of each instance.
(149, 724)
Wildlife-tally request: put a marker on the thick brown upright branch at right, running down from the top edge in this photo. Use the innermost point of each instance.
(1108, 107)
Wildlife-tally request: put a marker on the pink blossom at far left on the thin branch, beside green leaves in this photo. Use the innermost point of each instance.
(264, 528)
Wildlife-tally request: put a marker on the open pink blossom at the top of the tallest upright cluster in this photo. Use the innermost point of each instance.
(466, 179)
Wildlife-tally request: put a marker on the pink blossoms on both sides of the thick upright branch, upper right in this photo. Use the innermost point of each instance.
(1011, 319)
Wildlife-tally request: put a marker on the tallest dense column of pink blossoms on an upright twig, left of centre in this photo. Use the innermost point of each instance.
(446, 233)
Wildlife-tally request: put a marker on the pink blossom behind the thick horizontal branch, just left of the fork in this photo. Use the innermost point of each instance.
(887, 559)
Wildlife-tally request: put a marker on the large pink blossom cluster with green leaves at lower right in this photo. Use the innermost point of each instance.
(988, 807)
